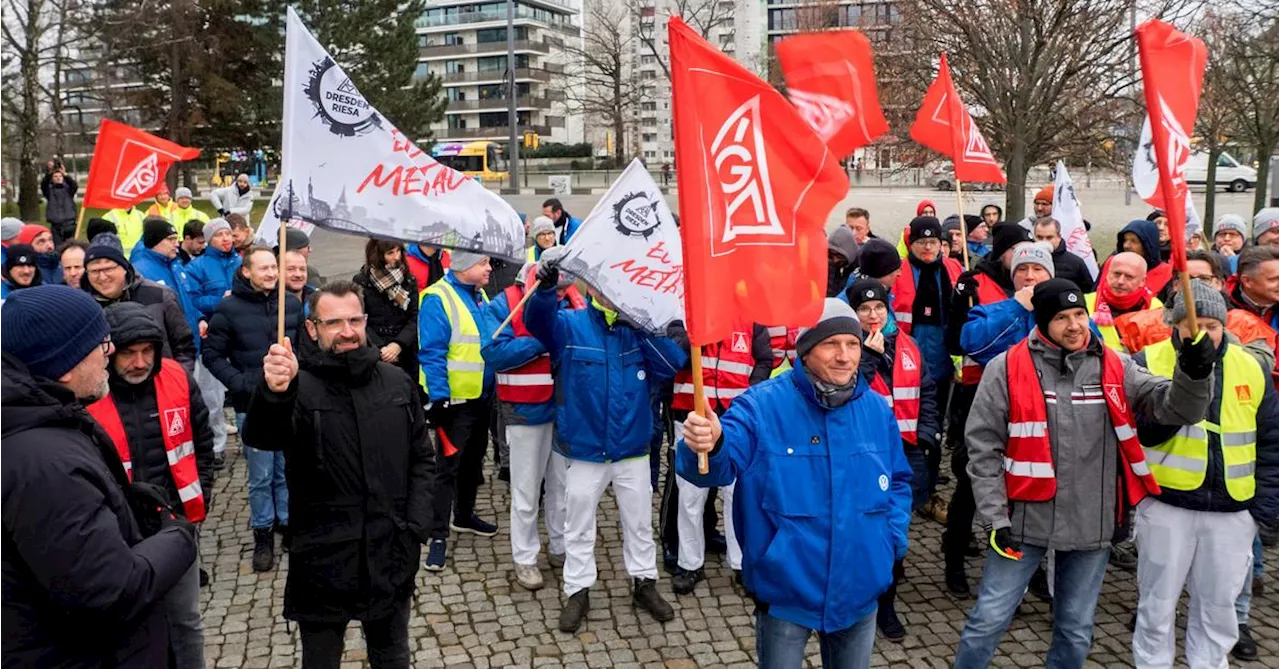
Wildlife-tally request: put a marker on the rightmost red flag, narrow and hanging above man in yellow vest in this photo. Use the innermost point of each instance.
(1173, 68)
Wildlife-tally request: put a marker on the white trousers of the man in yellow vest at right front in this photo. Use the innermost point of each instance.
(1212, 555)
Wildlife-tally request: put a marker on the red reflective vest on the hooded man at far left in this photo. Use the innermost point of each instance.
(173, 402)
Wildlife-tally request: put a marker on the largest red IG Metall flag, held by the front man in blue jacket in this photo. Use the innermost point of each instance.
(757, 186)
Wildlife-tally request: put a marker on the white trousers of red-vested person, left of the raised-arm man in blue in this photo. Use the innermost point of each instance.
(532, 462)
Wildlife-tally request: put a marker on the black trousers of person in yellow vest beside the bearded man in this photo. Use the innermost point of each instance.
(458, 478)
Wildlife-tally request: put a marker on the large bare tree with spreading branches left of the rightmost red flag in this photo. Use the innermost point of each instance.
(1050, 79)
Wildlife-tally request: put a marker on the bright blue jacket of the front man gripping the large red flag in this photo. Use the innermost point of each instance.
(824, 498)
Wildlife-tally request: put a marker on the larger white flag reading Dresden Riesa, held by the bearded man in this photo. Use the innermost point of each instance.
(346, 168)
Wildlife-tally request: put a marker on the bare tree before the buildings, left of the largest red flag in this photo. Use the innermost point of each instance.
(604, 83)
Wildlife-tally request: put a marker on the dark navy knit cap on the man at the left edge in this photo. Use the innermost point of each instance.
(52, 328)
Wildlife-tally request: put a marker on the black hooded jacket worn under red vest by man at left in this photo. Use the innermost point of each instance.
(139, 410)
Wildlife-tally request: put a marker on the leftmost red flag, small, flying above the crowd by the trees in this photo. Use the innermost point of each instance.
(130, 166)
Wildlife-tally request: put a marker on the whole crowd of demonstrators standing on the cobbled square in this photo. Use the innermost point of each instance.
(1089, 423)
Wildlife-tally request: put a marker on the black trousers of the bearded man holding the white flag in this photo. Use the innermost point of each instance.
(386, 640)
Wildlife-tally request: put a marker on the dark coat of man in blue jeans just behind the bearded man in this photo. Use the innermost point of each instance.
(241, 331)
